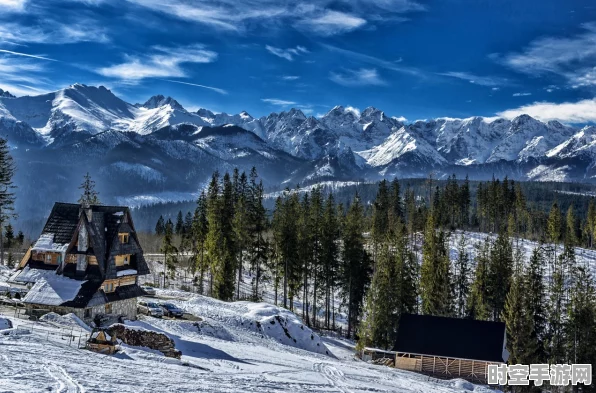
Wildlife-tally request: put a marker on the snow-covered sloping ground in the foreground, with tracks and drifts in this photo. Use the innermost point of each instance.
(226, 355)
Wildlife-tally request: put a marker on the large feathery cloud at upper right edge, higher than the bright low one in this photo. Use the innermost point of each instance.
(571, 57)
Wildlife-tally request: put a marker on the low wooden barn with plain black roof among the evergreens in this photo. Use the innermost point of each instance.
(449, 347)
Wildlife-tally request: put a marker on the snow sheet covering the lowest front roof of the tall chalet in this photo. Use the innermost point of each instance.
(53, 290)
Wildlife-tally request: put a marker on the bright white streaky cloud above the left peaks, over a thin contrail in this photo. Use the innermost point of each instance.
(162, 63)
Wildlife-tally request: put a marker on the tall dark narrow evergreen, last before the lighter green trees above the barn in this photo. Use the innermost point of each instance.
(355, 267)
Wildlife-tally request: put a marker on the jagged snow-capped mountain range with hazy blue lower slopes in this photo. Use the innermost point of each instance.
(158, 150)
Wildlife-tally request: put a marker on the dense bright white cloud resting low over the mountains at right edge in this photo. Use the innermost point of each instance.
(583, 111)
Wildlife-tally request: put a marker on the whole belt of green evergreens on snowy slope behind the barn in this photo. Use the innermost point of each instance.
(392, 256)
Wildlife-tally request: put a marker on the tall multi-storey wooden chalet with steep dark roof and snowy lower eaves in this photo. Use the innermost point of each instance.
(87, 261)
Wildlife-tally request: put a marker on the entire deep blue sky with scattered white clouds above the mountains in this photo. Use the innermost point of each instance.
(416, 59)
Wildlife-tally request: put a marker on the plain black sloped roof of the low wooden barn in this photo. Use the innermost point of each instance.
(451, 337)
